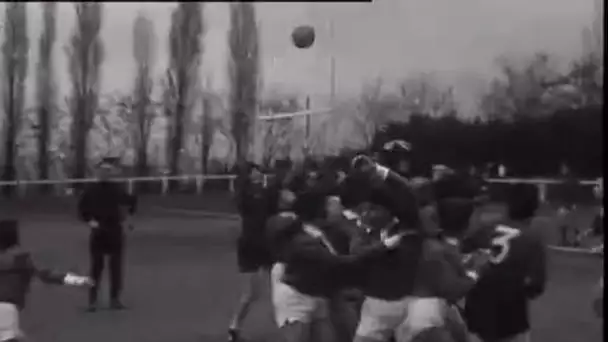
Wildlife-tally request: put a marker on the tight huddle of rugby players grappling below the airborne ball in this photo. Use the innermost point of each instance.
(335, 278)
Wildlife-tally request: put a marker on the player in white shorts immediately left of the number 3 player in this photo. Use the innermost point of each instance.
(444, 278)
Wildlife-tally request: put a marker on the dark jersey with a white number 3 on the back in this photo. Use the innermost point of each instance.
(497, 306)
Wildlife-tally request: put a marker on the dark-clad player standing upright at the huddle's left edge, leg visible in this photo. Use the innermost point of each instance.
(256, 203)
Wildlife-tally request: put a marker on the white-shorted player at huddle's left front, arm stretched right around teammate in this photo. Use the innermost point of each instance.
(312, 271)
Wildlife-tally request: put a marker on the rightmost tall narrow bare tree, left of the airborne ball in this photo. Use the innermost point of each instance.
(244, 69)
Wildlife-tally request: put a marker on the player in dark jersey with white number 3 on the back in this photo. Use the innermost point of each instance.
(496, 308)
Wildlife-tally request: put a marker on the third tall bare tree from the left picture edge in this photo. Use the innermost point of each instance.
(85, 55)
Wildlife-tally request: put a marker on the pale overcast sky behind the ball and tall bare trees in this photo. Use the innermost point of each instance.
(458, 39)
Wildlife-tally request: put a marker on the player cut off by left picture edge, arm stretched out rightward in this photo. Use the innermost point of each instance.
(16, 273)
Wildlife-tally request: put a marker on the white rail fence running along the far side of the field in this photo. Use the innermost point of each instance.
(64, 187)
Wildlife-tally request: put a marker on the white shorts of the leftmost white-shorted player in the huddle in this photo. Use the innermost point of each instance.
(290, 305)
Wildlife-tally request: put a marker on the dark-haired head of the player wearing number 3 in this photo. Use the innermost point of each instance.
(522, 201)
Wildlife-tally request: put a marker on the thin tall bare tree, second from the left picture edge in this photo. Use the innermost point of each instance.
(46, 87)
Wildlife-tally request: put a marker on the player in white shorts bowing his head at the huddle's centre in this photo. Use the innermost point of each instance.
(388, 282)
